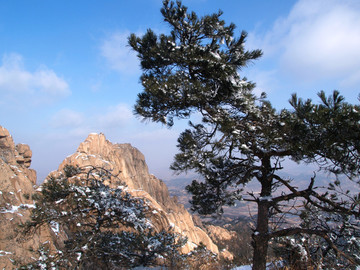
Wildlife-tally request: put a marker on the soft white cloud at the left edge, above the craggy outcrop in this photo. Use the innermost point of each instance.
(42, 85)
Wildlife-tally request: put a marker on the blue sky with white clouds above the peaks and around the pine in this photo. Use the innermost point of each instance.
(65, 69)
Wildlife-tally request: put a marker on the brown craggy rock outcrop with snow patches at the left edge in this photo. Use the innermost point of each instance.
(16, 187)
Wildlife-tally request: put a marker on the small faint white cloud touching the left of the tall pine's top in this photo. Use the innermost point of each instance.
(119, 55)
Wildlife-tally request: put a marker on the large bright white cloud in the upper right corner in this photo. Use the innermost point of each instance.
(317, 40)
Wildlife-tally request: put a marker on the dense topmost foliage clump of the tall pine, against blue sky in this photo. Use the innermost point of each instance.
(179, 69)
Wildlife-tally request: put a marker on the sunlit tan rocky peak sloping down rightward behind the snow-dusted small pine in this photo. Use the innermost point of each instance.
(129, 165)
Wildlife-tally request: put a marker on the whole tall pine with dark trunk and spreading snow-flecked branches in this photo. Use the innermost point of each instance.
(241, 137)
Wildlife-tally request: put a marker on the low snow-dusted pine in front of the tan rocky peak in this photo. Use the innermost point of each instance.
(103, 227)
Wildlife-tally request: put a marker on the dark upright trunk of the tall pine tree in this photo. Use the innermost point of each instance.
(260, 236)
